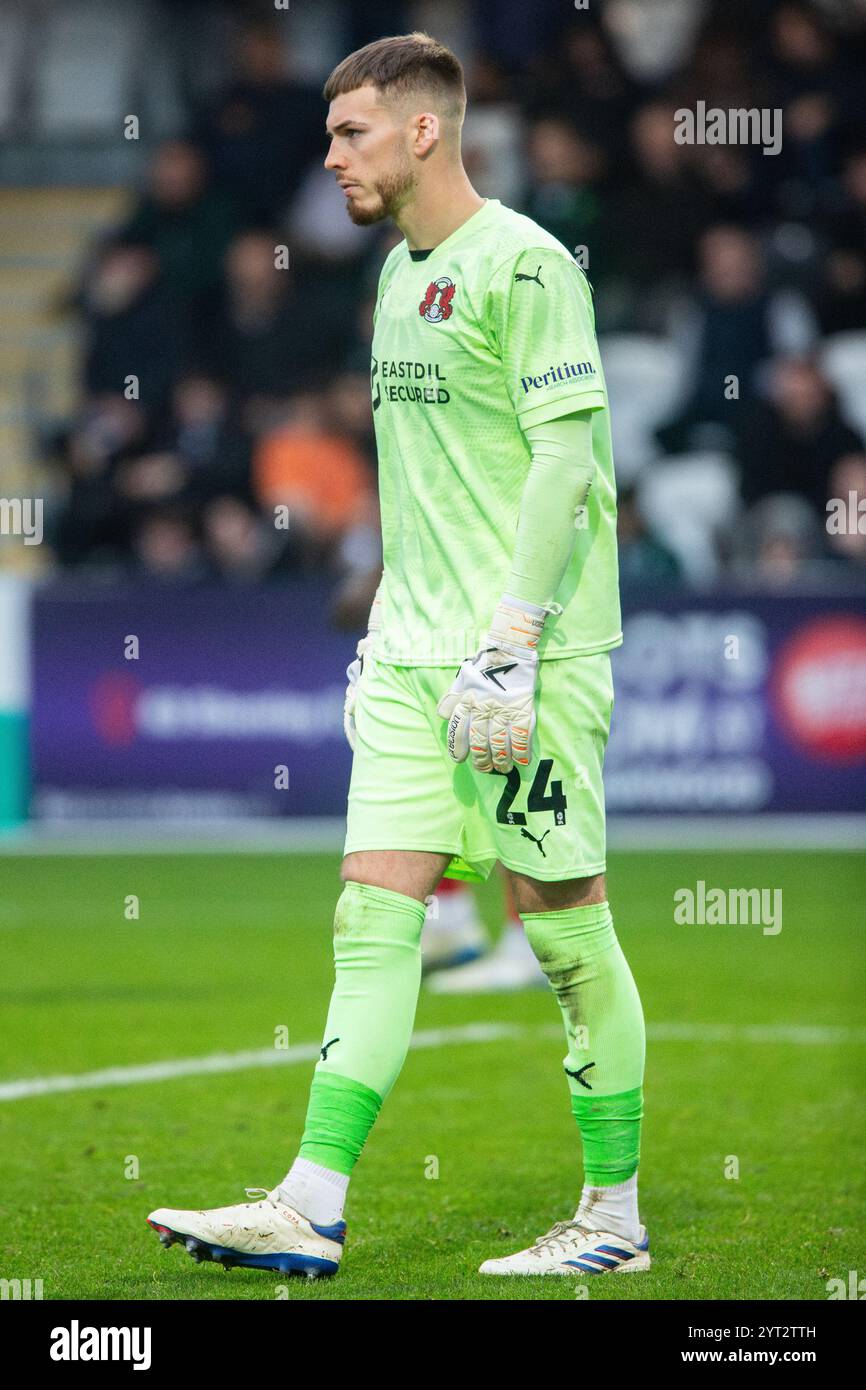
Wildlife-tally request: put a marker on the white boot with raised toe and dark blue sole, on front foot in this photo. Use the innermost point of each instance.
(263, 1235)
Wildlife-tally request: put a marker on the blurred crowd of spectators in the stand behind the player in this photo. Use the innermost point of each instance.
(226, 380)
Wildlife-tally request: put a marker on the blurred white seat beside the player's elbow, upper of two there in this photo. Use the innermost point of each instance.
(646, 380)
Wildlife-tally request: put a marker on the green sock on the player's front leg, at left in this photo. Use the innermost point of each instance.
(377, 957)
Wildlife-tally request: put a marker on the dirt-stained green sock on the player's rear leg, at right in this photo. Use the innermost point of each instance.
(590, 976)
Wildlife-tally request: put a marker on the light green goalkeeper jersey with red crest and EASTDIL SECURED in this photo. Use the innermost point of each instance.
(490, 333)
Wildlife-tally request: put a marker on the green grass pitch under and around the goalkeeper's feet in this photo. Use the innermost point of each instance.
(227, 949)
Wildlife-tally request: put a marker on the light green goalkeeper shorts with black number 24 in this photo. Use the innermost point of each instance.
(546, 821)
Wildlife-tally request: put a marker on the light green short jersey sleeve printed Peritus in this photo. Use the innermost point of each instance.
(539, 319)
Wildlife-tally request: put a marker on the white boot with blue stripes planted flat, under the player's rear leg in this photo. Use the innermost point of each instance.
(572, 1248)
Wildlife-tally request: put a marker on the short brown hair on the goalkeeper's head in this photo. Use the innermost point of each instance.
(402, 66)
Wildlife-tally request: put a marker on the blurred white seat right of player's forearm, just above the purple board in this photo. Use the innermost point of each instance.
(689, 500)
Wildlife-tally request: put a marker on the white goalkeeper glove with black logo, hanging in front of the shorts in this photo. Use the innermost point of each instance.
(491, 705)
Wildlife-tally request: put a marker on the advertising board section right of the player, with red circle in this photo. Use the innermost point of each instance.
(740, 704)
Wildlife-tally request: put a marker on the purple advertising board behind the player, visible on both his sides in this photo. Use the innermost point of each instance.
(198, 703)
